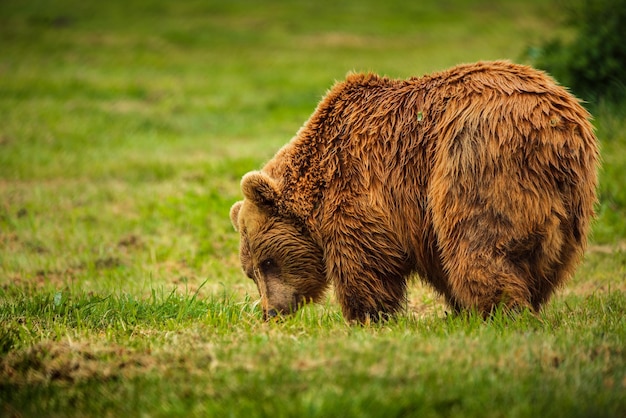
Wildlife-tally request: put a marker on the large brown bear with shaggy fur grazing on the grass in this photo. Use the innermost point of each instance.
(480, 179)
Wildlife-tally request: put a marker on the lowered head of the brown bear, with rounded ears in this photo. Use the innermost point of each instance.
(276, 251)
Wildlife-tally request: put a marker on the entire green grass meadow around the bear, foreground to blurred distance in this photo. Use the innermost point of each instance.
(126, 127)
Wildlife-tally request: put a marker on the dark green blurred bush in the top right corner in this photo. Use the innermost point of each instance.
(593, 63)
